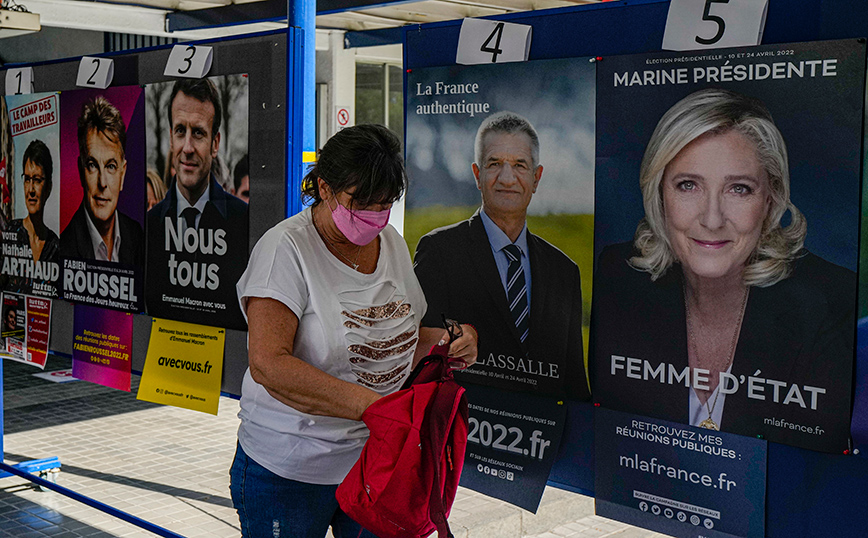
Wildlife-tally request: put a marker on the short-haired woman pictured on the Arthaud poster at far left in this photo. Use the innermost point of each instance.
(31, 230)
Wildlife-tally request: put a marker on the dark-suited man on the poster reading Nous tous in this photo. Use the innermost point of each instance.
(198, 234)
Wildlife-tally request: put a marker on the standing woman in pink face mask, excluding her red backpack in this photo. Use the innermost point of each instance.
(333, 308)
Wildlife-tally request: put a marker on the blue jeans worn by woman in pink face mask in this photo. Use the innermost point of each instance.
(270, 506)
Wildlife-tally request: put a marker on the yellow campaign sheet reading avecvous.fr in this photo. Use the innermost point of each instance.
(184, 366)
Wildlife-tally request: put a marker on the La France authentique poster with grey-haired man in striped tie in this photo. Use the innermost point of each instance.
(500, 157)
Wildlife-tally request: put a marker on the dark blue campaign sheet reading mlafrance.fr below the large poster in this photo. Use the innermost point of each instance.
(679, 480)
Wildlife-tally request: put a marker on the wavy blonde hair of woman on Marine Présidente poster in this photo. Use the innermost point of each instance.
(716, 111)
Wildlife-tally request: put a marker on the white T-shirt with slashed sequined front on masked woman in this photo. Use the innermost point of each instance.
(356, 327)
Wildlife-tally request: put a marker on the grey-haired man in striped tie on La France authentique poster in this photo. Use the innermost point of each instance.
(521, 293)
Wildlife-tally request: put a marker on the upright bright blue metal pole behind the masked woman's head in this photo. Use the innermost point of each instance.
(301, 85)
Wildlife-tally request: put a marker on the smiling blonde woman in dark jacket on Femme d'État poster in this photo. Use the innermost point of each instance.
(717, 279)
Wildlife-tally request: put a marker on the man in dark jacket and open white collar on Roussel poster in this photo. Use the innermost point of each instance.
(97, 230)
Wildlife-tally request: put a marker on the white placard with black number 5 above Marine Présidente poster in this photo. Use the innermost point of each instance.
(714, 24)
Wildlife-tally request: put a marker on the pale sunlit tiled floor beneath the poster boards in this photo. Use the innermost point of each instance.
(169, 466)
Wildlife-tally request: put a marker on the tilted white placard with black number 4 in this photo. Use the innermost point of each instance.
(486, 42)
